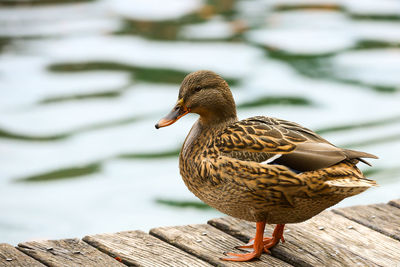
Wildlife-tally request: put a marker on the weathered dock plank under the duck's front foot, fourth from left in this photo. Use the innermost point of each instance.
(209, 244)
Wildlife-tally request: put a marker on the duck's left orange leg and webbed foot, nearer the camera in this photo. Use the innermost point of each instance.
(258, 247)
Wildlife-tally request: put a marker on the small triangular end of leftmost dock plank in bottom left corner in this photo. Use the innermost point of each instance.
(10, 256)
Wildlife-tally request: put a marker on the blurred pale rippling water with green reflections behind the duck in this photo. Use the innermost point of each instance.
(82, 84)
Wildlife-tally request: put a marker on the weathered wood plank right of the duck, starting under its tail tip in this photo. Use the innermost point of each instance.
(381, 217)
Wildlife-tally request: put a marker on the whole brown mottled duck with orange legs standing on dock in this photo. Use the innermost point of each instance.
(260, 169)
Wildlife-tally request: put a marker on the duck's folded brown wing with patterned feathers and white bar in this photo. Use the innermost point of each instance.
(276, 141)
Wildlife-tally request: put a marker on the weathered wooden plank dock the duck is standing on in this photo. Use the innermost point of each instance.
(353, 236)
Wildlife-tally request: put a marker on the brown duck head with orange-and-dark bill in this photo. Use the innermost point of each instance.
(205, 93)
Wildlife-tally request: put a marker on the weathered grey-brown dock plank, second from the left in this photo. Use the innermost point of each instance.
(66, 252)
